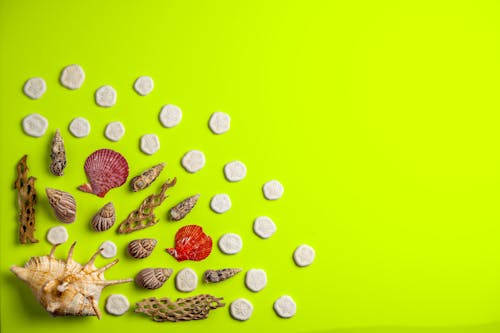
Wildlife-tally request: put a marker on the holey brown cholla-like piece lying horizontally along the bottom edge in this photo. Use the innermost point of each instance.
(184, 309)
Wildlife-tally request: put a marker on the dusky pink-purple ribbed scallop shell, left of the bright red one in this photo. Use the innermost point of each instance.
(105, 169)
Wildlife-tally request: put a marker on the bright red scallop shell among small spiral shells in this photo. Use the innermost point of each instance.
(191, 243)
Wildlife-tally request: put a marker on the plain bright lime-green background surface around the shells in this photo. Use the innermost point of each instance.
(380, 118)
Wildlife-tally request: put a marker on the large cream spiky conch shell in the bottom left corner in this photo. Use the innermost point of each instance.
(65, 287)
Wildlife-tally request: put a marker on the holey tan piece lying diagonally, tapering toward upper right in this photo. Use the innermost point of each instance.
(144, 216)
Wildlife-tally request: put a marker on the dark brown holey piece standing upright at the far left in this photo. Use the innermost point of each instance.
(26, 201)
